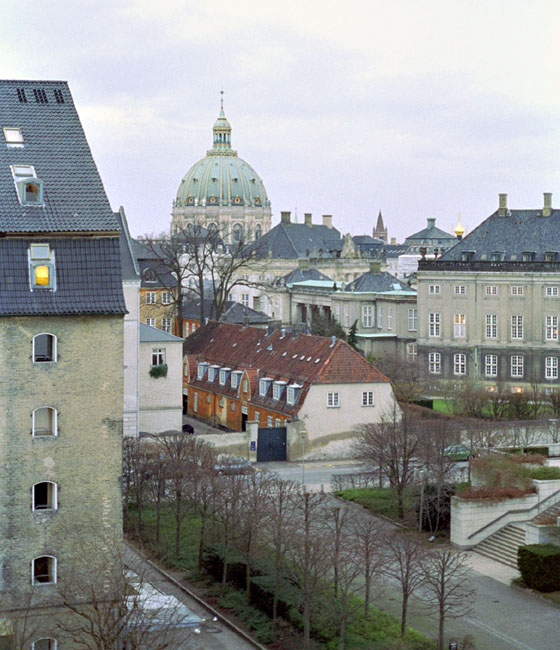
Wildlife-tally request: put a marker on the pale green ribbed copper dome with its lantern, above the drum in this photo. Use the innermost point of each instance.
(221, 178)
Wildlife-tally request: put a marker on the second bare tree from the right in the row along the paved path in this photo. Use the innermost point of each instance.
(404, 564)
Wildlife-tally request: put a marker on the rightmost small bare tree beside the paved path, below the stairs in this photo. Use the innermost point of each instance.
(446, 586)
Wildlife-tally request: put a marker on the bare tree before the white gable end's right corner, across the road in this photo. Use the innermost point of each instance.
(391, 445)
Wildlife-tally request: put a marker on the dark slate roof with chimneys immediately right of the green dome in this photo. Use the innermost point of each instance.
(295, 240)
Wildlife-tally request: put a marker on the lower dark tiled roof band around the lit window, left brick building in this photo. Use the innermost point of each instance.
(88, 278)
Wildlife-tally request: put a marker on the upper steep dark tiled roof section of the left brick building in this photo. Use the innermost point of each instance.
(55, 144)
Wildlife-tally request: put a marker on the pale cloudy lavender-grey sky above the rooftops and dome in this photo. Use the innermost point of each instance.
(417, 109)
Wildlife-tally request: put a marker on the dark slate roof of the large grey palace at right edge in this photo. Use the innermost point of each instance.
(518, 232)
